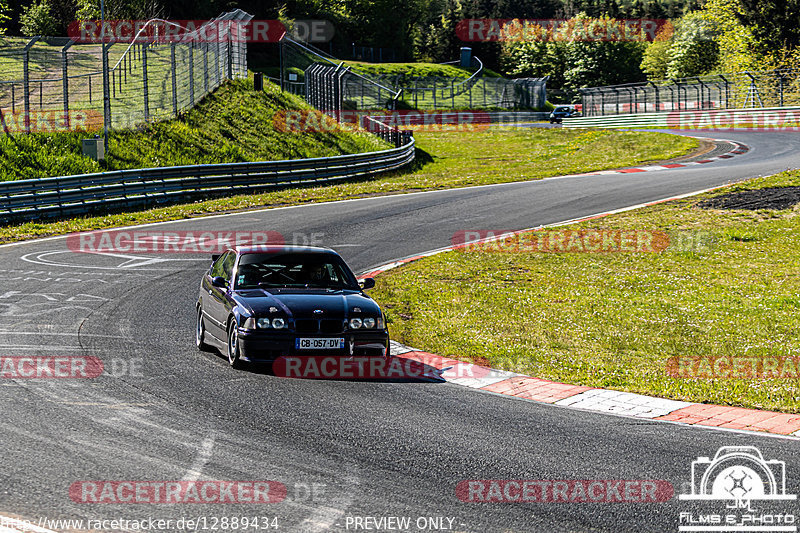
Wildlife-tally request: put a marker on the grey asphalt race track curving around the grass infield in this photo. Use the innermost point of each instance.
(345, 450)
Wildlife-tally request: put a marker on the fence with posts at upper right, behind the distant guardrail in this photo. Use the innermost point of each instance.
(776, 88)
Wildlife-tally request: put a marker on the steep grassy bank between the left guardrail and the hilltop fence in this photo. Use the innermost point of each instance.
(232, 124)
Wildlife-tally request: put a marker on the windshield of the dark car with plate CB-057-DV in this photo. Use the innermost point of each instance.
(293, 270)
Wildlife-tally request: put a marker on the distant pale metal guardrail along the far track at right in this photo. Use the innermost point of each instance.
(760, 118)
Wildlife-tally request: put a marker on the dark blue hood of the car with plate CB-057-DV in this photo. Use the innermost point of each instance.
(301, 303)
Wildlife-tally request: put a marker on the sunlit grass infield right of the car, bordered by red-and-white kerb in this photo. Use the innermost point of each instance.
(613, 320)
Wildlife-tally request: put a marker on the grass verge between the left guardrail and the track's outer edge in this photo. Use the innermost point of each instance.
(444, 160)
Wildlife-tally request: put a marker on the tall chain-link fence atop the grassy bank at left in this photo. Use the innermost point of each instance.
(52, 84)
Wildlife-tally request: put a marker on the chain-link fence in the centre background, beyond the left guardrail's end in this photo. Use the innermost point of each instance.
(362, 91)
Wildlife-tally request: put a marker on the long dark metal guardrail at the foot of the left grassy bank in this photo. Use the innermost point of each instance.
(82, 194)
